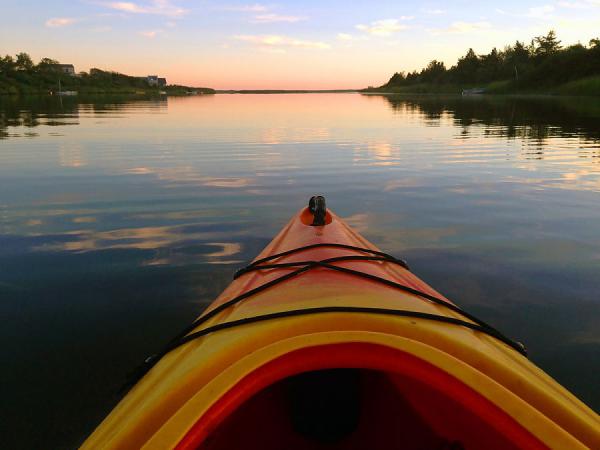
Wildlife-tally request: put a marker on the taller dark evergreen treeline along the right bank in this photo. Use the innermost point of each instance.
(542, 63)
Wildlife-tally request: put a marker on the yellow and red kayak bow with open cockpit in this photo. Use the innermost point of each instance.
(326, 342)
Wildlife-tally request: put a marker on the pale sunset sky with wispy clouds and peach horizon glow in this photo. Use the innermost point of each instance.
(280, 45)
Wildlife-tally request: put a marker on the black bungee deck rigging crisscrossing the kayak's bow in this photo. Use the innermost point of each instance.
(186, 335)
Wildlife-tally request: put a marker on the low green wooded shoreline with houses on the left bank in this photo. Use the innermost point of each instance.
(20, 75)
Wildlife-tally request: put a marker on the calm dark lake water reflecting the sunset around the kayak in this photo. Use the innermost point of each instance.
(121, 219)
